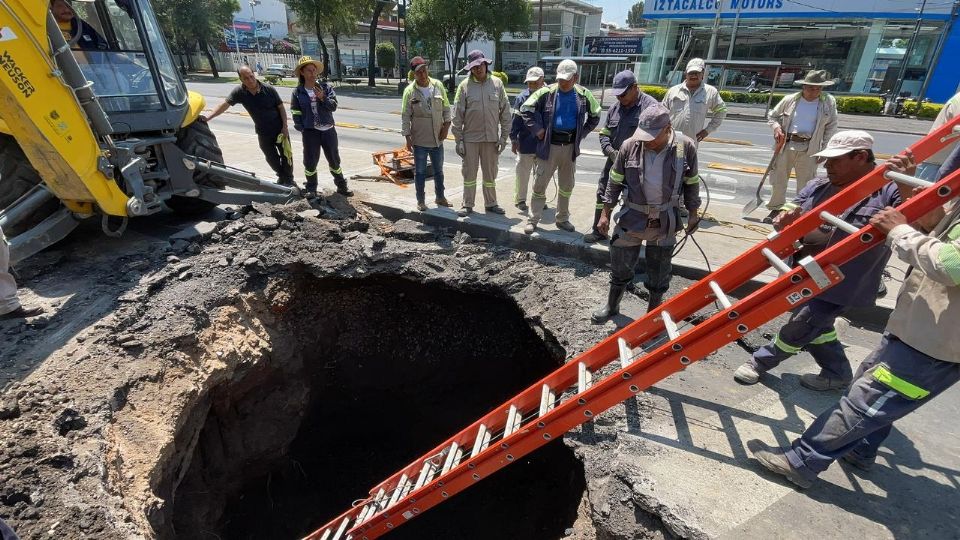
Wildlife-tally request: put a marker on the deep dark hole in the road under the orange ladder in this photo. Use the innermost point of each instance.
(362, 378)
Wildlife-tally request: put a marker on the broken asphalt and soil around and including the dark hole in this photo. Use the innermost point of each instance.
(254, 380)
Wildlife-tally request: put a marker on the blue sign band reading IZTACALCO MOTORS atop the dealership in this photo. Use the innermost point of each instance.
(896, 9)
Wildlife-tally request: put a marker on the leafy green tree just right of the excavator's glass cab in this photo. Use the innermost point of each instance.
(196, 24)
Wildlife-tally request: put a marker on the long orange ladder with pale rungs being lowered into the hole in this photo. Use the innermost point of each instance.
(576, 392)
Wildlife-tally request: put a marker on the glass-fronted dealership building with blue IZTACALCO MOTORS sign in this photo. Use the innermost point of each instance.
(864, 44)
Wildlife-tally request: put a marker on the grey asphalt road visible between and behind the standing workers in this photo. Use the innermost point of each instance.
(377, 124)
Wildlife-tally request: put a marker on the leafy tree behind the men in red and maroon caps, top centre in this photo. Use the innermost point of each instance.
(448, 24)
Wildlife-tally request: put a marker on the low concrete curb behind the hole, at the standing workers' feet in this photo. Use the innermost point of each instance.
(559, 244)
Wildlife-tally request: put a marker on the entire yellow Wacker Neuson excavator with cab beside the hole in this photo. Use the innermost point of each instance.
(101, 127)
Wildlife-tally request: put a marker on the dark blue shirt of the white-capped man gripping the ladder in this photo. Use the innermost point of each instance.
(862, 274)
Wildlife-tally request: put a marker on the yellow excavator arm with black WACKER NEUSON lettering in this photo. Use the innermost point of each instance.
(45, 116)
